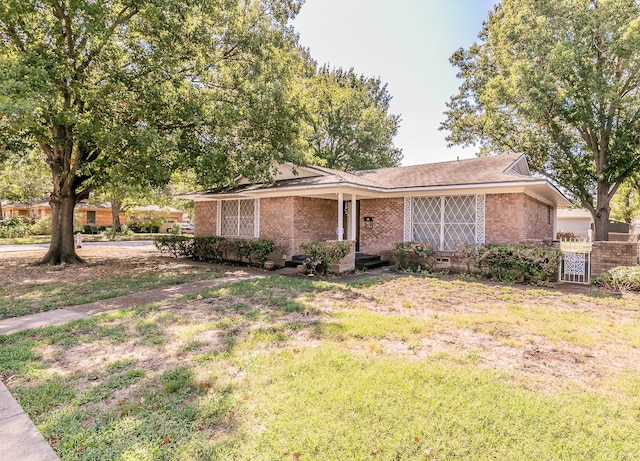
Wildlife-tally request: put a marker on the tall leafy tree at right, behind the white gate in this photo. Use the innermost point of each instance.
(558, 80)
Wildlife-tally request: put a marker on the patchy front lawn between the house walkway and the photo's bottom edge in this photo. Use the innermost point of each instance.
(289, 369)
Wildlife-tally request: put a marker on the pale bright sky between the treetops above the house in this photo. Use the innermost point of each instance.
(407, 43)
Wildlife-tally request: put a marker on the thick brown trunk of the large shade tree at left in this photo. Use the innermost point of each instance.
(62, 248)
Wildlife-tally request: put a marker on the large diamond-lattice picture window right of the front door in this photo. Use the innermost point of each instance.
(445, 222)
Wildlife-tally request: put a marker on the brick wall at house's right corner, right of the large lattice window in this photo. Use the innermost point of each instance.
(516, 218)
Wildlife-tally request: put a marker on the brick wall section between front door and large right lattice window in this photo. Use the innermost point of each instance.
(387, 226)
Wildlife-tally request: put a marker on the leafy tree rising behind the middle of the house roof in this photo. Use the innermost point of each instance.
(350, 127)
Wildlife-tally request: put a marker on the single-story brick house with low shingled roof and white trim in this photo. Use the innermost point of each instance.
(489, 199)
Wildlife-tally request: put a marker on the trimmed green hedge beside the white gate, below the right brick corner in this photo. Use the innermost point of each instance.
(517, 262)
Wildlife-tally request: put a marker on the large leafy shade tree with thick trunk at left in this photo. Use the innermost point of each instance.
(93, 83)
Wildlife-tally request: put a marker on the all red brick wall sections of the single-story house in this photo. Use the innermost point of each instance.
(290, 221)
